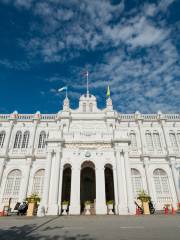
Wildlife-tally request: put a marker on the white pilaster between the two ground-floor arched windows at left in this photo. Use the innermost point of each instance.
(25, 180)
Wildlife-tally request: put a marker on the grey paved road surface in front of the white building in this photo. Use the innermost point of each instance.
(91, 227)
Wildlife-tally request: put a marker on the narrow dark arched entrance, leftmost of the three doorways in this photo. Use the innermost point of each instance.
(66, 184)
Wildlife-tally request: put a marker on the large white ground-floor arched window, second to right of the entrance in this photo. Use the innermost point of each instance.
(161, 185)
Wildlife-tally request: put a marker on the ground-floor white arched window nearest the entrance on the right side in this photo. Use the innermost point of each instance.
(136, 182)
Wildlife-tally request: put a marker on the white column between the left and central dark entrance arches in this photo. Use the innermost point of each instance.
(74, 208)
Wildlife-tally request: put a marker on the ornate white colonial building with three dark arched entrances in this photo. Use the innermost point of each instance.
(89, 154)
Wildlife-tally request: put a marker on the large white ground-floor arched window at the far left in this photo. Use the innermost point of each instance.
(12, 187)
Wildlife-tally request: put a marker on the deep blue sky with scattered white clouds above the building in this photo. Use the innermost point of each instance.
(131, 45)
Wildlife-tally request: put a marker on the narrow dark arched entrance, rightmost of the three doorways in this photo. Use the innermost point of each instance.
(109, 183)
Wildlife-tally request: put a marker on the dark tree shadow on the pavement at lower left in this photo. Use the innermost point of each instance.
(40, 232)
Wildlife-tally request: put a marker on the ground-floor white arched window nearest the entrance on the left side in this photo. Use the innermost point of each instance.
(38, 182)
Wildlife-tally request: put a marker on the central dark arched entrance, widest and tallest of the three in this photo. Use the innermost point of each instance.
(88, 185)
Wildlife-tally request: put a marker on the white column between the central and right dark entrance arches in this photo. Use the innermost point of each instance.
(101, 207)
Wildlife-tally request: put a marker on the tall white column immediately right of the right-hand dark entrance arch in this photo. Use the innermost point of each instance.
(121, 185)
